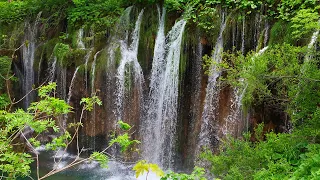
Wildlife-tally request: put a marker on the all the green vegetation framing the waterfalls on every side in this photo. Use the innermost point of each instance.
(286, 76)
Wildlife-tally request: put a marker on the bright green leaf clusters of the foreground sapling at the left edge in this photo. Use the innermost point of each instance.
(12, 163)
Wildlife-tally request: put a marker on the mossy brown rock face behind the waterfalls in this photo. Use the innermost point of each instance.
(98, 74)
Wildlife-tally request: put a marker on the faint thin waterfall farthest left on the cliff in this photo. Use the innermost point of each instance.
(28, 53)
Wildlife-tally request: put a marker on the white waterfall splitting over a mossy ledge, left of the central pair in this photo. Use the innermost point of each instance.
(128, 59)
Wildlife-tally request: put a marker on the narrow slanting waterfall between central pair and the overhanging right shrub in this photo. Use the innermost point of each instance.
(212, 91)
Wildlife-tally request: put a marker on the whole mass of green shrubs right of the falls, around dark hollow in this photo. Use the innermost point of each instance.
(286, 78)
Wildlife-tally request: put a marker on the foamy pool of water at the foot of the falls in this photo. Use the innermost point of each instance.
(85, 171)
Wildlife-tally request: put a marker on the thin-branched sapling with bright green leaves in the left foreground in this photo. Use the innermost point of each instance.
(40, 118)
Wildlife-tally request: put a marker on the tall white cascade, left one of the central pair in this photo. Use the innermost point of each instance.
(152, 129)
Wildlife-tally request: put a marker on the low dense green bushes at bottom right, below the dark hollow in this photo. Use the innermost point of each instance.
(275, 158)
